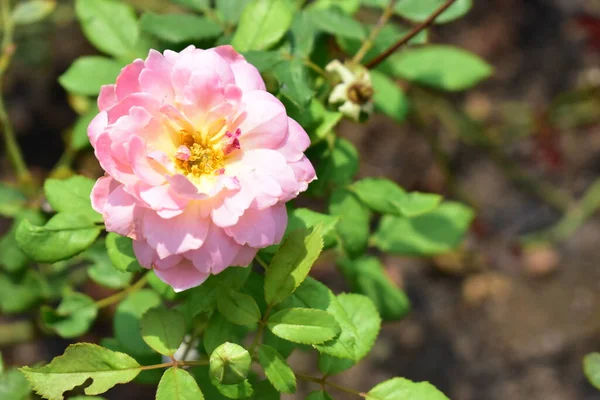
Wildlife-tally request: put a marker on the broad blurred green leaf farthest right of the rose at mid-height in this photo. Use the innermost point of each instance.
(436, 232)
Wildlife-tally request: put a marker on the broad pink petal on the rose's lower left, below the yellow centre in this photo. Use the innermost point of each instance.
(177, 235)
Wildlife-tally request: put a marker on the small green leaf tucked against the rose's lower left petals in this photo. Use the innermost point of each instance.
(102, 270)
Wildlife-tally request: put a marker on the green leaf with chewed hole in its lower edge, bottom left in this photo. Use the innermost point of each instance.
(79, 363)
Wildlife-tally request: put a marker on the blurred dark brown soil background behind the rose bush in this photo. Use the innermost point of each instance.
(498, 319)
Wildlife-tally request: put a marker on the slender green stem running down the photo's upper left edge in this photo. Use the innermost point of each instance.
(12, 147)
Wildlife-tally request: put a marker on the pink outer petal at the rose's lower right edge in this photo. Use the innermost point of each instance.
(260, 228)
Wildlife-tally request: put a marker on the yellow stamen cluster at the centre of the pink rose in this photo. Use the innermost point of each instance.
(198, 156)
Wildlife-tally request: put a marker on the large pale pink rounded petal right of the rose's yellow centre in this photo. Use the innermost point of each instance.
(265, 125)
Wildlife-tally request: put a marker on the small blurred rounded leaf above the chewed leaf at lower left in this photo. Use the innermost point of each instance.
(73, 317)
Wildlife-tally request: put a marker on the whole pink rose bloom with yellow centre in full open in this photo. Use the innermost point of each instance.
(199, 159)
